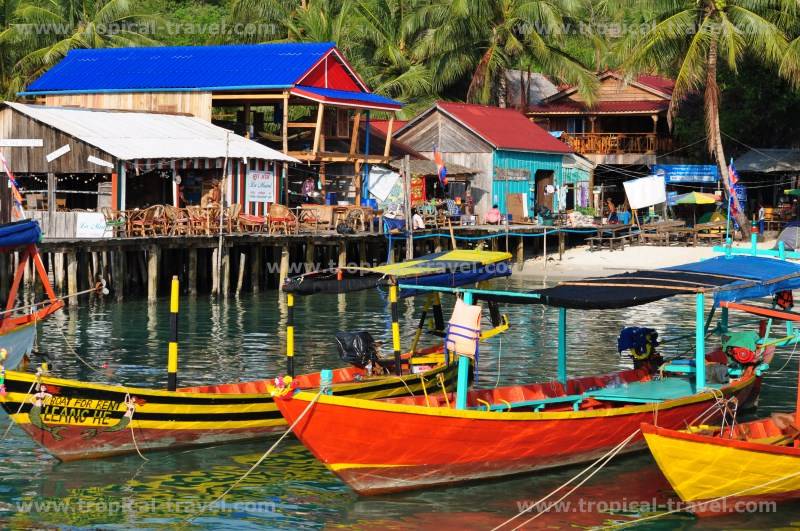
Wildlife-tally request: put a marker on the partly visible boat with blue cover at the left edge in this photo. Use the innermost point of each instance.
(18, 325)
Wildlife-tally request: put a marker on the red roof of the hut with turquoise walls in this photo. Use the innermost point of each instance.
(503, 128)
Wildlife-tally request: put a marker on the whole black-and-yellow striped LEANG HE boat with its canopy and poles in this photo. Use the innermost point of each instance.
(82, 420)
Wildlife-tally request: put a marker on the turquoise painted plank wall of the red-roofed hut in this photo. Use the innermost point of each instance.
(524, 160)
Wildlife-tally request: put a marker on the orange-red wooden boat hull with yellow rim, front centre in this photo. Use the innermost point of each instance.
(425, 446)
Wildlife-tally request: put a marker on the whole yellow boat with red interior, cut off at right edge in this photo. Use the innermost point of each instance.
(728, 467)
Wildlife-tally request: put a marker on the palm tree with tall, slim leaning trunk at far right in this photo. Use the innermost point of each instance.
(695, 37)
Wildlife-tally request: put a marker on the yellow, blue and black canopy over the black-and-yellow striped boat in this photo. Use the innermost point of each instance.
(446, 269)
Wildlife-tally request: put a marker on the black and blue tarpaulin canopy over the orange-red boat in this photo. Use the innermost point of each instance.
(726, 278)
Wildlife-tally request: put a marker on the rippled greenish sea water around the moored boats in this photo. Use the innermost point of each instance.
(242, 338)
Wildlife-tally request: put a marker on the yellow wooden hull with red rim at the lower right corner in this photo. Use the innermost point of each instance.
(704, 468)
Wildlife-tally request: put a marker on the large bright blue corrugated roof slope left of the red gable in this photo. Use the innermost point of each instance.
(181, 68)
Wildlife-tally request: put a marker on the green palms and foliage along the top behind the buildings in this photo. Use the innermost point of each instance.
(419, 51)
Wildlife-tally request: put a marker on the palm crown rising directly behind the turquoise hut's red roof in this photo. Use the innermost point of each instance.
(480, 41)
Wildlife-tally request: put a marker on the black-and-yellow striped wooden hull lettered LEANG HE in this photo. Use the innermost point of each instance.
(80, 420)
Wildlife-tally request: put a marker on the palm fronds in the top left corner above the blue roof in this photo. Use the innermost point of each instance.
(48, 29)
